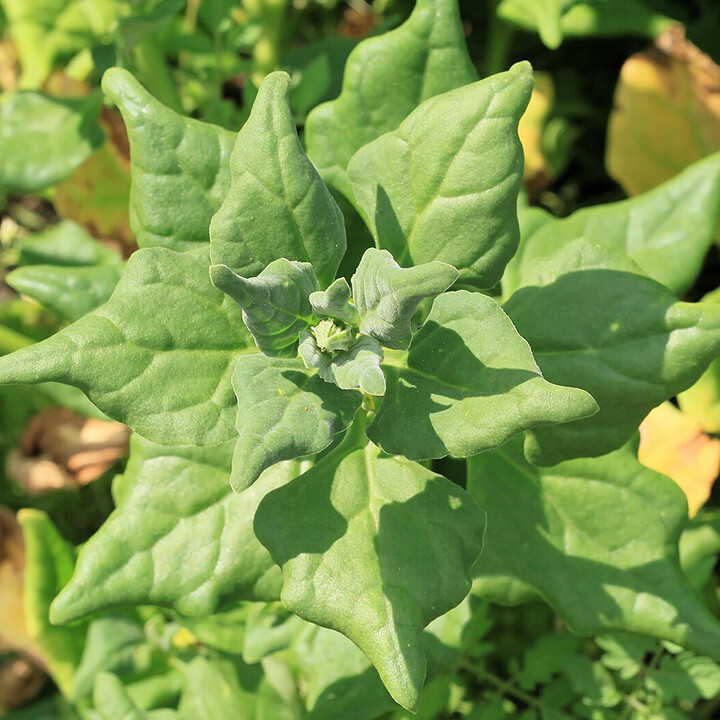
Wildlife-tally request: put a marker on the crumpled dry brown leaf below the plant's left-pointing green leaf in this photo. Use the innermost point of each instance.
(61, 450)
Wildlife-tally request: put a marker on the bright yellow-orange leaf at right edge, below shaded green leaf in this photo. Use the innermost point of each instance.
(675, 445)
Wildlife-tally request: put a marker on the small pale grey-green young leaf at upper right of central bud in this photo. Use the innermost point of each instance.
(387, 295)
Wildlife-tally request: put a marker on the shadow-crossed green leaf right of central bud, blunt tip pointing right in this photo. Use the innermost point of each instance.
(468, 384)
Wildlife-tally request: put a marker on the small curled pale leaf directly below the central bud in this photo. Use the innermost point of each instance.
(358, 367)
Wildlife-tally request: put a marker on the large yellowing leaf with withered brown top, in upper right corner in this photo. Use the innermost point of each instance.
(667, 113)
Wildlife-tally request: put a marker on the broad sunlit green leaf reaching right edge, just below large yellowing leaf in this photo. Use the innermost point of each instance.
(652, 229)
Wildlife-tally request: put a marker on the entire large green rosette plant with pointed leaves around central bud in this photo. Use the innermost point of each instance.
(230, 336)
